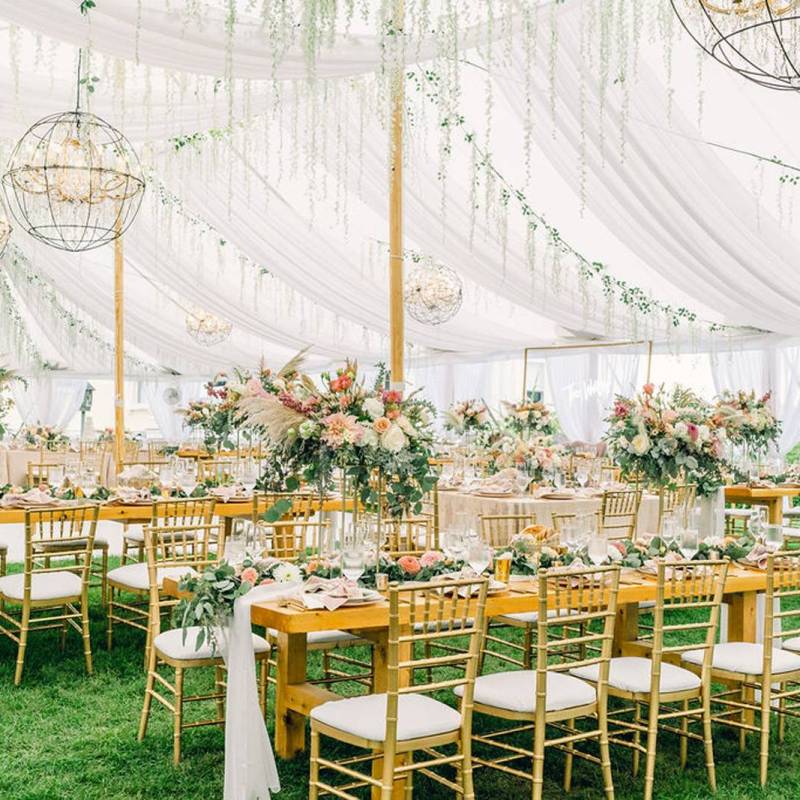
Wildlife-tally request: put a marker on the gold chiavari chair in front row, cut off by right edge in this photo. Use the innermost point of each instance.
(771, 669)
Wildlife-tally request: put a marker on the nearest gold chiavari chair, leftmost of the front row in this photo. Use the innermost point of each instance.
(392, 726)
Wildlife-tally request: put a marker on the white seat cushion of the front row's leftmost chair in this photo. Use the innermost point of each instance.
(417, 715)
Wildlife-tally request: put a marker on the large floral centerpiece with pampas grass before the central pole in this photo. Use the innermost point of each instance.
(339, 423)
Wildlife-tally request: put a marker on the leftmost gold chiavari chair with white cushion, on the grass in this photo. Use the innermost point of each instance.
(41, 590)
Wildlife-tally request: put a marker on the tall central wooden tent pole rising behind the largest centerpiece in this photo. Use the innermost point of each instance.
(396, 306)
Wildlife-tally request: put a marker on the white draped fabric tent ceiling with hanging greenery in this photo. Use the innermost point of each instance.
(294, 177)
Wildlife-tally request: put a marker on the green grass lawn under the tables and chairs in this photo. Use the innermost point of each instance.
(65, 736)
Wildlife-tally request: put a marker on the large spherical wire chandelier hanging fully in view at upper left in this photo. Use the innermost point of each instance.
(73, 181)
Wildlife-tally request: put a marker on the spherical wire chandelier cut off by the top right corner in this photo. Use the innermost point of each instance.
(759, 39)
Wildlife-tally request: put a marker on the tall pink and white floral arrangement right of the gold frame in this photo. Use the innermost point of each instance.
(667, 438)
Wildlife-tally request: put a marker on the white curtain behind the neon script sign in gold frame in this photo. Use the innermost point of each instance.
(583, 388)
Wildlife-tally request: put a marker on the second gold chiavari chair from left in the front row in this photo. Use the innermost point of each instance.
(576, 616)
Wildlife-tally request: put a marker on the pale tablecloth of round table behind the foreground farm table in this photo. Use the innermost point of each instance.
(452, 502)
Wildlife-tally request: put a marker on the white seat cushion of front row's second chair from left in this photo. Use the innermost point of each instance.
(516, 691)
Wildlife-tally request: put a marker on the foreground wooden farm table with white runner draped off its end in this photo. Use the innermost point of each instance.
(295, 696)
